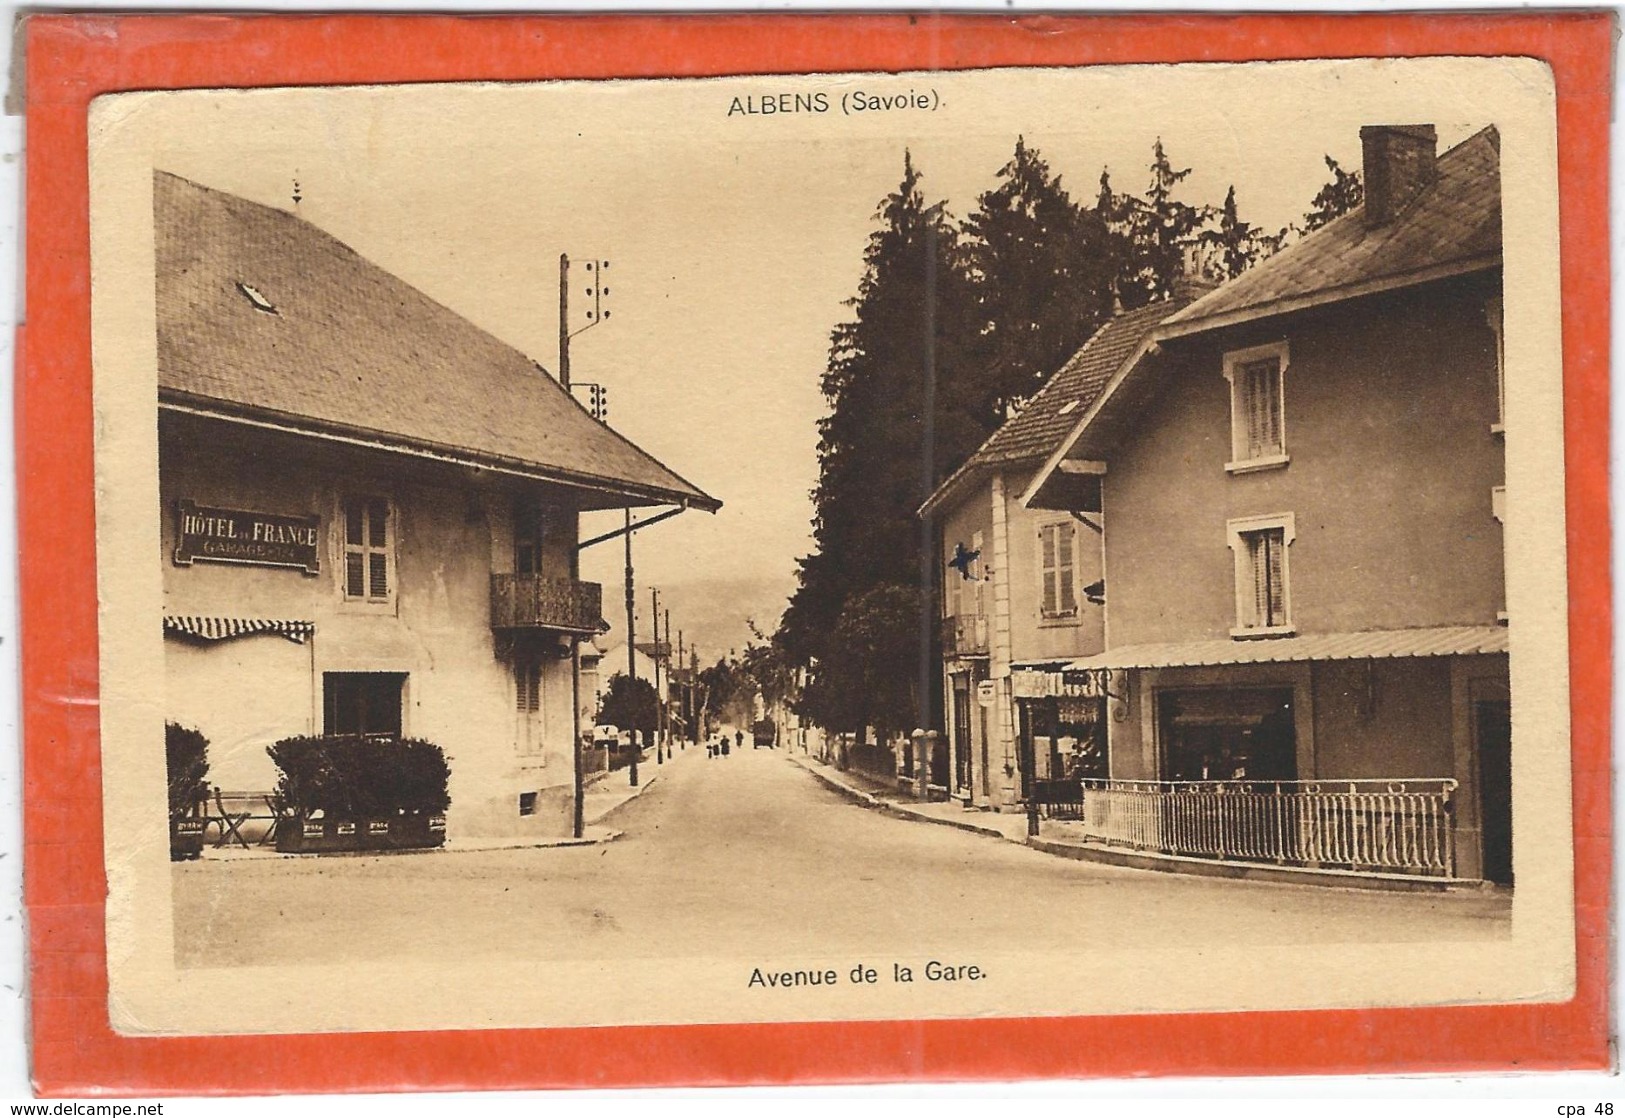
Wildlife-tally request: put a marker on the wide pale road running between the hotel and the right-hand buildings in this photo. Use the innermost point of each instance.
(722, 854)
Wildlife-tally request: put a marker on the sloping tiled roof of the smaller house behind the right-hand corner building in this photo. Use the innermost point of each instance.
(1044, 422)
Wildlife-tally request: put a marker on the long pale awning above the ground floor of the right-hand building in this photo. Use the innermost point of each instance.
(1384, 644)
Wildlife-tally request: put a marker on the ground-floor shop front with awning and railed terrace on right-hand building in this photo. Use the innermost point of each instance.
(1374, 753)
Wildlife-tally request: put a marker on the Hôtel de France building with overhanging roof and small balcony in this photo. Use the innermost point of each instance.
(371, 516)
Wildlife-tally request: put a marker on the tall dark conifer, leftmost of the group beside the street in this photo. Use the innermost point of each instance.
(875, 462)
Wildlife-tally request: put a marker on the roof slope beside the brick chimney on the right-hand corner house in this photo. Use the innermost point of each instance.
(1457, 222)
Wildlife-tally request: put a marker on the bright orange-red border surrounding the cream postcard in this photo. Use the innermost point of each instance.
(72, 59)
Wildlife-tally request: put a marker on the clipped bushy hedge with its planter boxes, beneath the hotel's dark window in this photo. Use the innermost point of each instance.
(360, 794)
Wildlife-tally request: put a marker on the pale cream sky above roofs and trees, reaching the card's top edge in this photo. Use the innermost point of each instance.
(735, 238)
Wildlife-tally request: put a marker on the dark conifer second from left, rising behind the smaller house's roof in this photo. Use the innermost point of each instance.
(1042, 280)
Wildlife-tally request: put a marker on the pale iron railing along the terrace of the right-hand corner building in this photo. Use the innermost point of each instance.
(1363, 826)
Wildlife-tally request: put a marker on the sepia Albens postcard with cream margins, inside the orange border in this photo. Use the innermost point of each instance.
(833, 547)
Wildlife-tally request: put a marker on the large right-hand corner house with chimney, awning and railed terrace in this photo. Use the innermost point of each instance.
(1304, 485)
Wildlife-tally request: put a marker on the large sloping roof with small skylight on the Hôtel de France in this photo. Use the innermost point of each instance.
(262, 314)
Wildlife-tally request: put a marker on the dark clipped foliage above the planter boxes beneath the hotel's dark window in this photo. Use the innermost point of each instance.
(353, 778)
